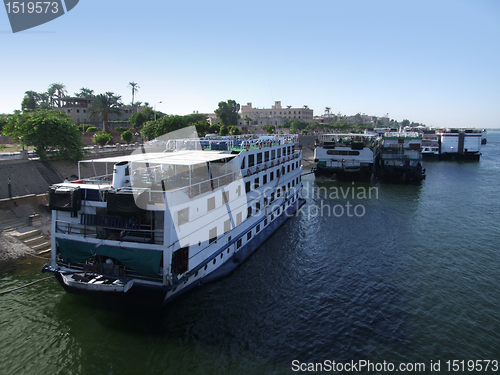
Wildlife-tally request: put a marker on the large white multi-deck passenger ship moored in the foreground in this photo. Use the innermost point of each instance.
(164, 222)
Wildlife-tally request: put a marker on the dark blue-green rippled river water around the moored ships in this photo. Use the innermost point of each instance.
(412, 276)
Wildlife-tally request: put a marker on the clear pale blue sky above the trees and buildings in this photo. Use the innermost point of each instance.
(435, 62)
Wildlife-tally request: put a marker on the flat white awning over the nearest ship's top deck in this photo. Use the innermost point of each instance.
(186, 158)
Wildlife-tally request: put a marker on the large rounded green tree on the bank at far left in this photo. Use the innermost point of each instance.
(46, 130)
